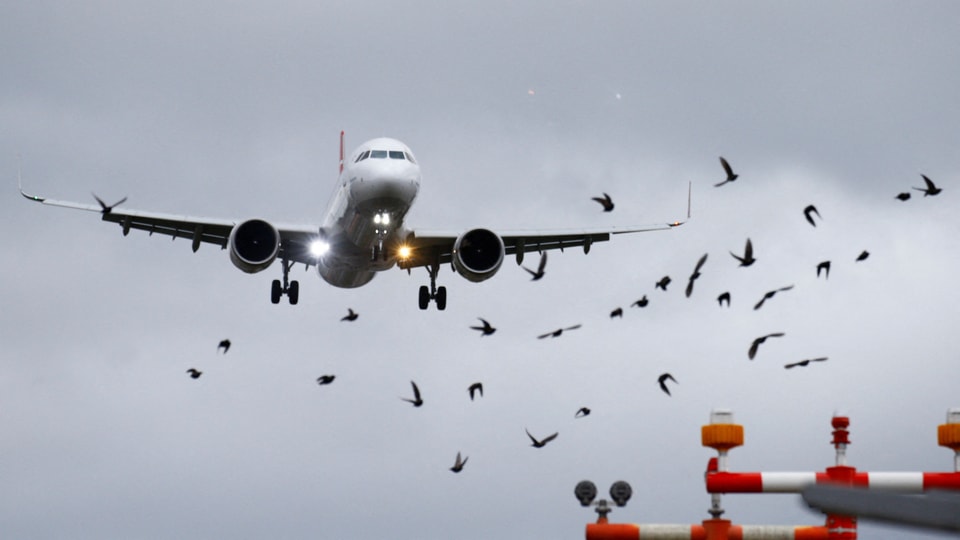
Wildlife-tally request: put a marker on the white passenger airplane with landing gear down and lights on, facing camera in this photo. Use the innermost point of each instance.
(362, 232)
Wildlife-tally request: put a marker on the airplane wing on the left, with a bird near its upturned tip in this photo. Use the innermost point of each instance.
(294, 244)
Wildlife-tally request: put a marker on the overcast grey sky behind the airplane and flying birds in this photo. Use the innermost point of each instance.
(518, 116)
